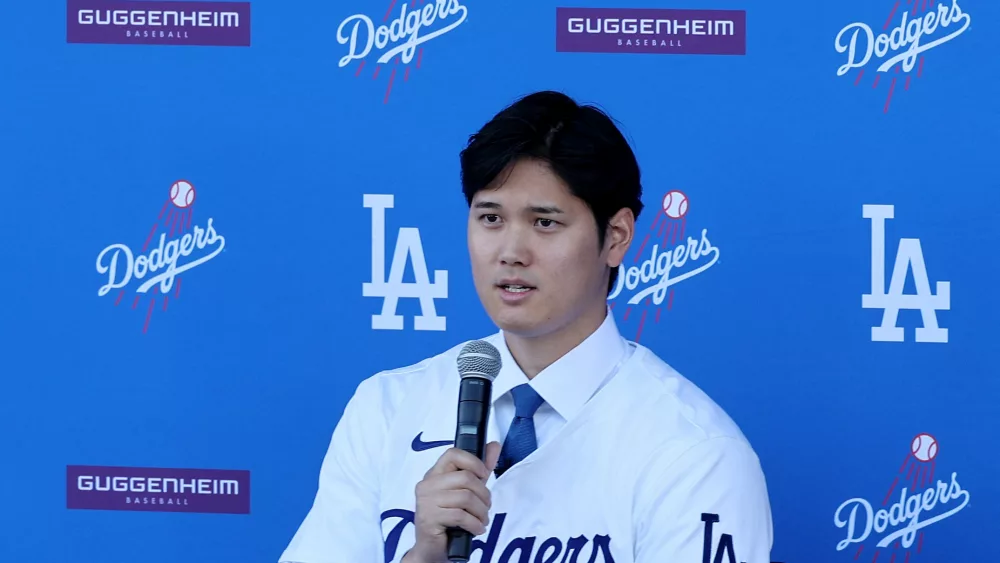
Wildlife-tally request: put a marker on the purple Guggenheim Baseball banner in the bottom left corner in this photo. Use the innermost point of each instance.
(156, 489)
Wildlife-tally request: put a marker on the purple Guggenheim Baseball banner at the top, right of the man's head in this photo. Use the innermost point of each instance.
(641, 30)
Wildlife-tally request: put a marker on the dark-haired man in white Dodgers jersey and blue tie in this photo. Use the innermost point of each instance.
(605, 453)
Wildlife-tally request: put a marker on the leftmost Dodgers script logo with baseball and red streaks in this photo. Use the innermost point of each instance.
(181, 246)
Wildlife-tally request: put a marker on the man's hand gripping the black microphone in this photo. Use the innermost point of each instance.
(453, 493)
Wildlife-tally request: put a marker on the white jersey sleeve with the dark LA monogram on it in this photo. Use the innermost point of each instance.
(709, 505)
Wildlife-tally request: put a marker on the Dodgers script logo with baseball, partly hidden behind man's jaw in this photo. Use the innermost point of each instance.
(669, 256)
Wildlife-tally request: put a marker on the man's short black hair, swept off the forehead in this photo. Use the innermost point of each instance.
(580, 143)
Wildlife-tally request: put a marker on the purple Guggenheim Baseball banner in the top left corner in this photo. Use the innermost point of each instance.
(158, 23)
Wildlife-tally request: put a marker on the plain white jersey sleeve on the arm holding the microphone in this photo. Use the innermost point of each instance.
(343, 524)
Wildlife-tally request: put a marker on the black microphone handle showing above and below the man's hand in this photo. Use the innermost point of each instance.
(470, 435)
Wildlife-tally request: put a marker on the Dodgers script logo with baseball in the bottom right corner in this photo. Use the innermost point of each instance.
(919, 503)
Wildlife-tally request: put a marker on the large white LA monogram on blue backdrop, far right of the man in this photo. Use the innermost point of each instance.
(908, 256)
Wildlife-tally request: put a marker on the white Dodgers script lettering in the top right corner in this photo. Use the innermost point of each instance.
(906, 37)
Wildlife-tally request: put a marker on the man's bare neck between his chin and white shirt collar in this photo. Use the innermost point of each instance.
(534, 354)
